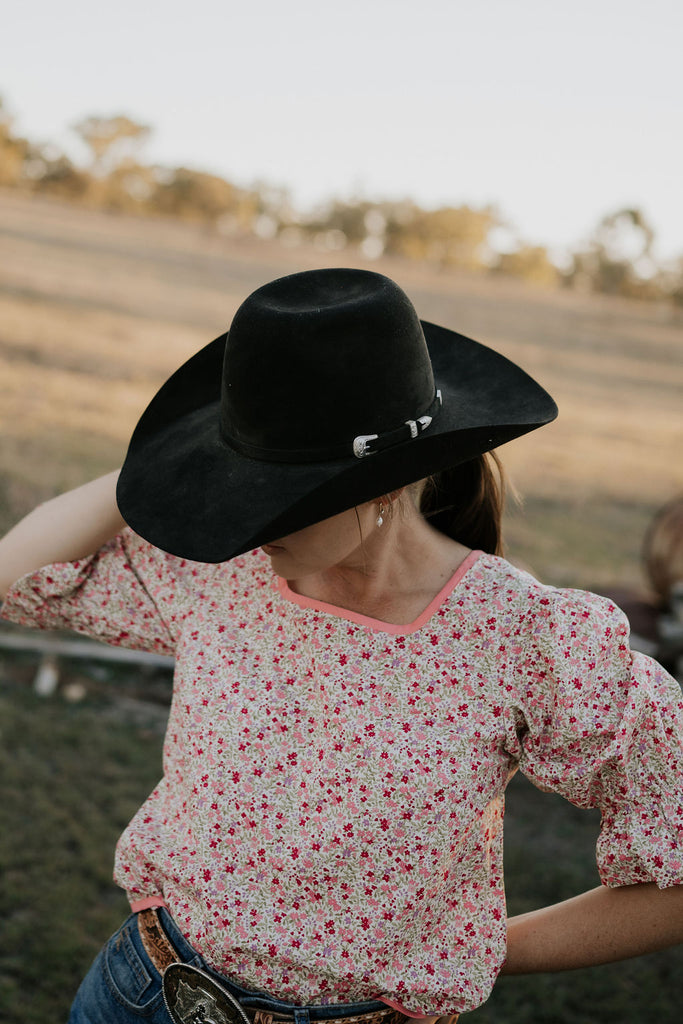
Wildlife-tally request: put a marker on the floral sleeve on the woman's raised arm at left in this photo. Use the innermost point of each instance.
(130, 594)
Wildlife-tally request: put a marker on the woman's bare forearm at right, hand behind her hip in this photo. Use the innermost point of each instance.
(599, 927)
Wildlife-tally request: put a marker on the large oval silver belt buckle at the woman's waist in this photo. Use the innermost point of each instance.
(193, 997)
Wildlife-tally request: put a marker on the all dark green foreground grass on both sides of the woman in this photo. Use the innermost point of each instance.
(74, 775)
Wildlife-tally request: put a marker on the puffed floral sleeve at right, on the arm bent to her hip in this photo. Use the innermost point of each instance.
(604, 728)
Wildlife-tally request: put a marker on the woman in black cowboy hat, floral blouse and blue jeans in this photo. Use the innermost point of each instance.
(354, 694)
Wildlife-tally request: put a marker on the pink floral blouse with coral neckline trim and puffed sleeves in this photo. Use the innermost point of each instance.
(329, 825)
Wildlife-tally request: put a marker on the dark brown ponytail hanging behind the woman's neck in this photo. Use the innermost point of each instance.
(466, 503)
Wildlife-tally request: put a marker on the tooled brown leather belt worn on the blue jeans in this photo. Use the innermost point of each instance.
(193, 997)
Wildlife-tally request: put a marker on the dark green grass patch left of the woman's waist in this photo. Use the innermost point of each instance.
(72, 778)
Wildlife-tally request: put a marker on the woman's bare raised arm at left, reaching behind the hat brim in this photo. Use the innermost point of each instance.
(71, 527)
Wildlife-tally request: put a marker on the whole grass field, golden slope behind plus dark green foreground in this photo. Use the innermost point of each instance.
(95, 312)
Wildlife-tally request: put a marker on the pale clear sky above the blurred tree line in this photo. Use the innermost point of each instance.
(557, 113)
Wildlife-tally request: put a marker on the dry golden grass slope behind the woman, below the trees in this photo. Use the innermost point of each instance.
(96, 311)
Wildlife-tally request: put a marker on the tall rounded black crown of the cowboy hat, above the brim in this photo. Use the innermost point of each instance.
(316, 359)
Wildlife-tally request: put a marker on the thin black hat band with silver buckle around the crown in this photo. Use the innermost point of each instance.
(362, 446)
